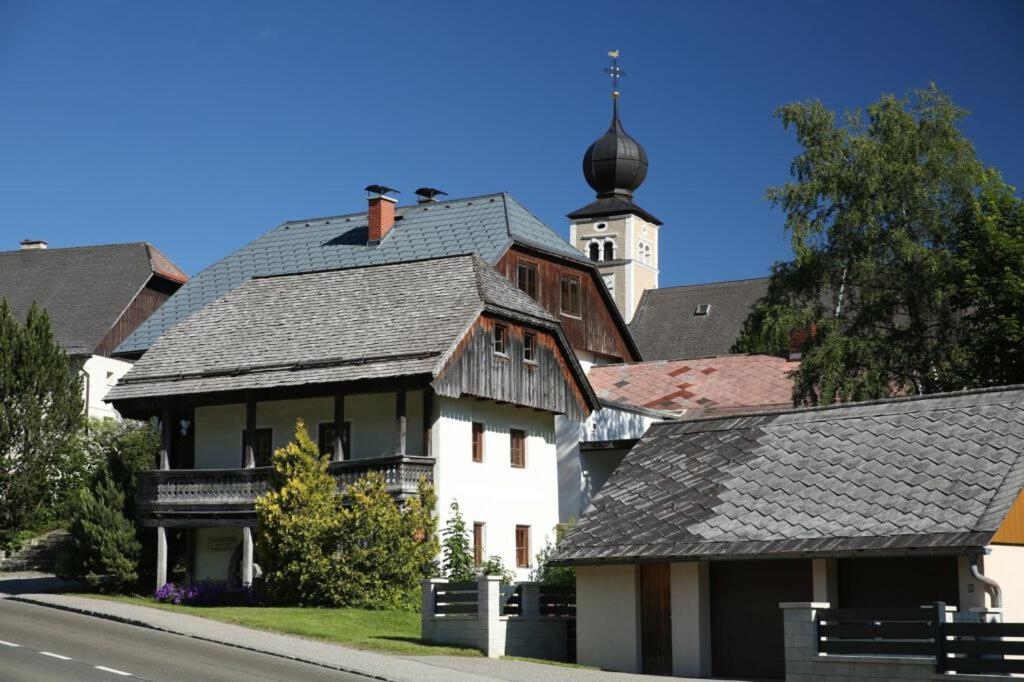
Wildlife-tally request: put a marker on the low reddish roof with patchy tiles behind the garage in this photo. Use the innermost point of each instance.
(698, 388)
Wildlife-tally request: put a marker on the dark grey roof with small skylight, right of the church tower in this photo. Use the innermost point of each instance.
(666, 328)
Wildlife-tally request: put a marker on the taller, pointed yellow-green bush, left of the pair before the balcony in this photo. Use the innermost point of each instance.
(301, 522)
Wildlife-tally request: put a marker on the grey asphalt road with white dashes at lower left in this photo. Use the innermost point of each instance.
(40, 644)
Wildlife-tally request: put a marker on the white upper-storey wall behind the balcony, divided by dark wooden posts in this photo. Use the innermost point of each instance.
(220, 429)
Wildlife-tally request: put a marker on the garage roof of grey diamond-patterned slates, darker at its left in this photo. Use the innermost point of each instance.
(930, 474)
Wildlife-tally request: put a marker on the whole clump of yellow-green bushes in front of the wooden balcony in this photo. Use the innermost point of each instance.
(364, 550)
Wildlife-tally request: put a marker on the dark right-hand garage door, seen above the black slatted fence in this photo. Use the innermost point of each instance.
(906, 582)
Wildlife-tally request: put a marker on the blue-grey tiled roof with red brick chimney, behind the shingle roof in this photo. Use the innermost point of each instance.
(486, 226)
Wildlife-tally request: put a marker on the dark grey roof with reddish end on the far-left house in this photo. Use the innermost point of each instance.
(84, 289)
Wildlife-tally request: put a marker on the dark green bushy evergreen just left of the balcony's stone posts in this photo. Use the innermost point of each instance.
(105, 541)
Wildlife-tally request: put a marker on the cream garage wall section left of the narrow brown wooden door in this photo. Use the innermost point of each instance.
(609, 618)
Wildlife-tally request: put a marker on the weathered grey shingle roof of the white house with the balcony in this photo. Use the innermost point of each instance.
(318, 328)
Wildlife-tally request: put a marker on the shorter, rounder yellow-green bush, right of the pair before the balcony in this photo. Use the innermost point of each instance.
(386, 548)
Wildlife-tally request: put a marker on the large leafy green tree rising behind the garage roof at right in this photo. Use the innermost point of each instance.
(908, 257)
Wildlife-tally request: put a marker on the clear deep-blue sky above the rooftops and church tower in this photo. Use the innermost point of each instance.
(199, 125)
